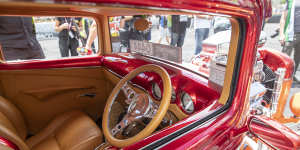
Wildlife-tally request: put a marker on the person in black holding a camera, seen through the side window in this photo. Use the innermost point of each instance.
(68, 37)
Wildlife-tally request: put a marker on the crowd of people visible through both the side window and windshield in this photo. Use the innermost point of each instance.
(74, 32)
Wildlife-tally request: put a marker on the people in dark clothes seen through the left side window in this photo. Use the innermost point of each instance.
(18, 37)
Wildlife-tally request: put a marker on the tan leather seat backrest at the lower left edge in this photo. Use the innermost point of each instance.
(12, 124)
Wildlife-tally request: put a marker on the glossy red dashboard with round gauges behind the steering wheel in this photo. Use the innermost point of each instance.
(190, 91)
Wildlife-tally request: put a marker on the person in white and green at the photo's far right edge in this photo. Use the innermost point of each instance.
(290, 31)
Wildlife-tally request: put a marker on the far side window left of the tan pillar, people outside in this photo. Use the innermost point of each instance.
(47, 38)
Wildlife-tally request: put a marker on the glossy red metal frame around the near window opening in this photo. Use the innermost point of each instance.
(222, 132)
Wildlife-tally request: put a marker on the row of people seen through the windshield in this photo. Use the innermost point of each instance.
(172, 29)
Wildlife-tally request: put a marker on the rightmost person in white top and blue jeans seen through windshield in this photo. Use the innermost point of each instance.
(201, 26)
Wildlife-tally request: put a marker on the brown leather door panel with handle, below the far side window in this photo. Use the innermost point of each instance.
(42, 94)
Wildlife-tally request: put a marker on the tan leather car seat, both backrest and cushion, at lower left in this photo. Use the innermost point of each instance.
(70, 131)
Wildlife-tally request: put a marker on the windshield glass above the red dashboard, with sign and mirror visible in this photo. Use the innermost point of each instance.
(197, 42)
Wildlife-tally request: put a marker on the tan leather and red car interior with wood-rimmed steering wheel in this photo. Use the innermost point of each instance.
(110, 98)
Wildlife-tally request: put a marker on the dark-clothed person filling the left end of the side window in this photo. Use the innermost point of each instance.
(18, 38)
